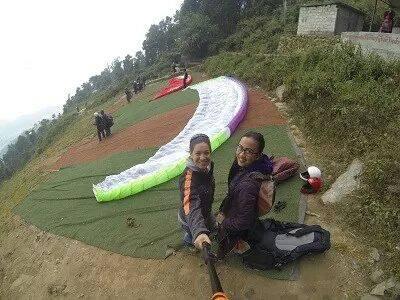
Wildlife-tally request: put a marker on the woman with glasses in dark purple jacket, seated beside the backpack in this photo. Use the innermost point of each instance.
(238, 216)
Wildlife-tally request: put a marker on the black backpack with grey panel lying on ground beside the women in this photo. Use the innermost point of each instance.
(281, 243)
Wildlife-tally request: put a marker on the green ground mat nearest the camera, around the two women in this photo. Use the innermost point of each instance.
(144, 224)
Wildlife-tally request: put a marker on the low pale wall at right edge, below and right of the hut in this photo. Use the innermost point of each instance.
(387, 45)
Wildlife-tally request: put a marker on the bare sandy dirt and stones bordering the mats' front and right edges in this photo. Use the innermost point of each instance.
(39, 265)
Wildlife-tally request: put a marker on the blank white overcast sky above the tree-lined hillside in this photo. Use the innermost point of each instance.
(48, 48)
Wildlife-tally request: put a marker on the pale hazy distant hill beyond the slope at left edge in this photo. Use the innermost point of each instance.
(10, 130)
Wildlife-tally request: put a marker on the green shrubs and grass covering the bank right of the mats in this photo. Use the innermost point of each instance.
(349, 107)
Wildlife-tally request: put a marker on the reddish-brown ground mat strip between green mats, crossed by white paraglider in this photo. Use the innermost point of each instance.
(159, 130)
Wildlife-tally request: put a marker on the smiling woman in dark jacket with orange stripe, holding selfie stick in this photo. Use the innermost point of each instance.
(197, 186)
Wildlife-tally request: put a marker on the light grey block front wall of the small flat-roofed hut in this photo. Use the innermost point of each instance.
(317, 20)
